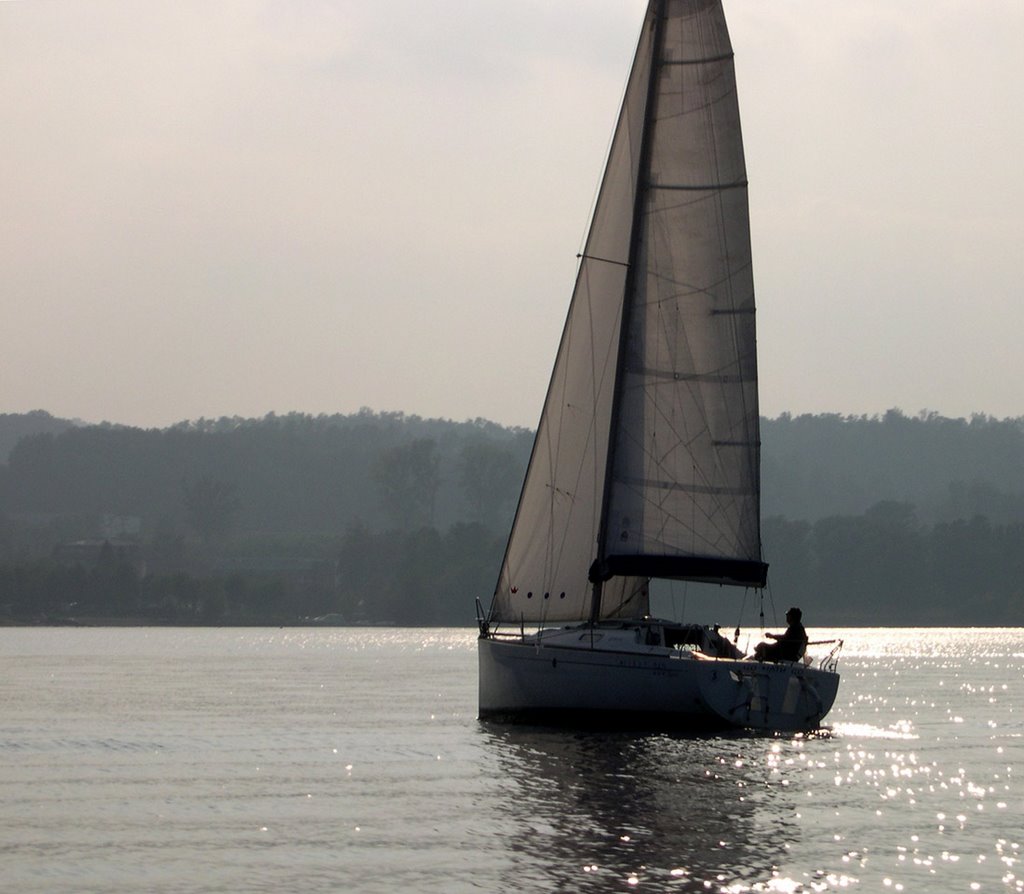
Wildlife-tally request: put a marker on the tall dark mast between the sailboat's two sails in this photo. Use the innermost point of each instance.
(599, 573)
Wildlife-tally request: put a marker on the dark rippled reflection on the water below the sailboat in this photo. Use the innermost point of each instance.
(608, 807)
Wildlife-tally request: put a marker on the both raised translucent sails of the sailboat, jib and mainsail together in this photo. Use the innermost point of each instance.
(647, 459)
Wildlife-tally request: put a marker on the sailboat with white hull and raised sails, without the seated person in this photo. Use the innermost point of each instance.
(647, 460)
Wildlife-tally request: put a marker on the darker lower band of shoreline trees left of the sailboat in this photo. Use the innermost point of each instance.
(406, 578)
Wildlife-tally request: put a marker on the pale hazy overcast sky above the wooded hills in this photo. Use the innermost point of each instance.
(232, 207)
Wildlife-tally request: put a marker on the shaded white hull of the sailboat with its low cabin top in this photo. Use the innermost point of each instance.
(569, 674)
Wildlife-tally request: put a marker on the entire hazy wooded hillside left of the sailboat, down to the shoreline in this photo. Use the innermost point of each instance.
(280, 520)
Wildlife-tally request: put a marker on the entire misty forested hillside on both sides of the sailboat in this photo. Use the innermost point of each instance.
(387, 518)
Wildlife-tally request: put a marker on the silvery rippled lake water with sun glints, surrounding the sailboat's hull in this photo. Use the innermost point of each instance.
(170, 760)
